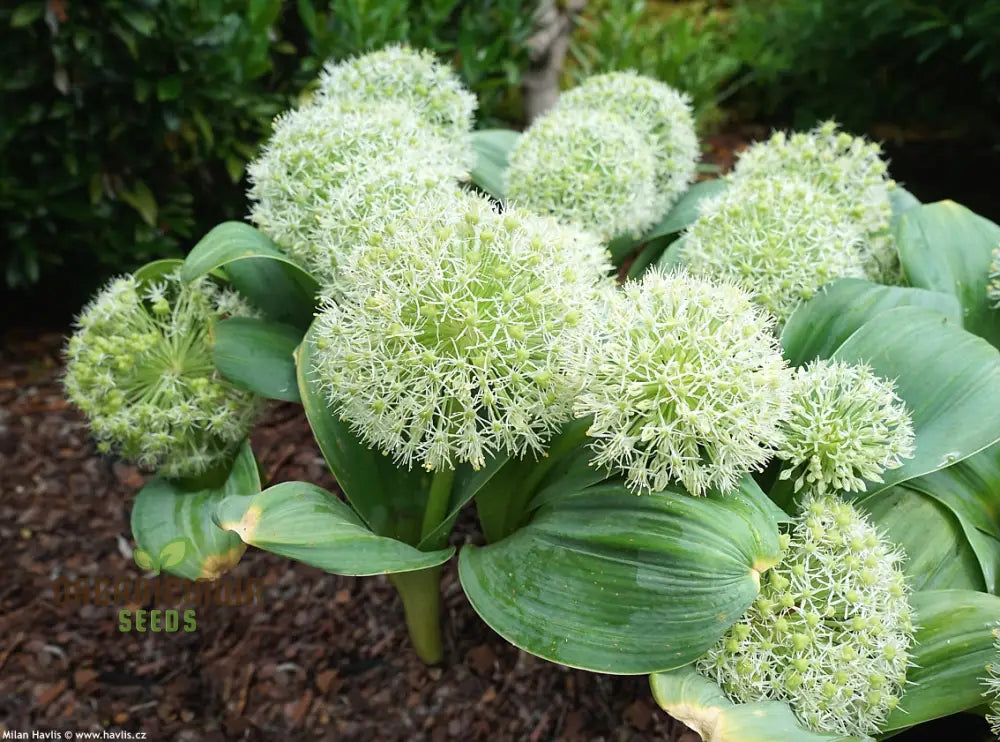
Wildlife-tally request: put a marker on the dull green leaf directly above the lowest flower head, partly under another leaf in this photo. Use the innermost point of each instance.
(938, 555)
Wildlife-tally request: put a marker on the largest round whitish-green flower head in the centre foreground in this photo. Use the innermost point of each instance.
(444, 343)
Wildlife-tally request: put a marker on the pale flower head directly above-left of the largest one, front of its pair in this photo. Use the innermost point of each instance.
(328, 172)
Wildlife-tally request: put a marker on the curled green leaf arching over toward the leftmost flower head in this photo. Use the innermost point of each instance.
(258, 269)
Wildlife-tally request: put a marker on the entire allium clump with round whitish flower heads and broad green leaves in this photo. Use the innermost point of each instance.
(616, 443)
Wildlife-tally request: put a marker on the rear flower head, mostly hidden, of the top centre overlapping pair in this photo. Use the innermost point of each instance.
(654, 108)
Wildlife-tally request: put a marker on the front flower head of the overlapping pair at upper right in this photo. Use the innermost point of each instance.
(781, 239)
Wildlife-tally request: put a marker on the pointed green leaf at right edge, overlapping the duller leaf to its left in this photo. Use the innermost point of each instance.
(971, 490)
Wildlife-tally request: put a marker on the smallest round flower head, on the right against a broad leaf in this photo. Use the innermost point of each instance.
(846, 426)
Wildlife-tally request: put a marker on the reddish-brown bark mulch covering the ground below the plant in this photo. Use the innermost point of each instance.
(321, 657)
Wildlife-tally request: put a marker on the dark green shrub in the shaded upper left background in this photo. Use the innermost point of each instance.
(125, 125)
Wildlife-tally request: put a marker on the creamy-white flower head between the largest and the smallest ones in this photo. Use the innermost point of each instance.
(686, 383)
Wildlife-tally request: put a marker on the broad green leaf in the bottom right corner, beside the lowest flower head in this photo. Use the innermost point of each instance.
(954, 643)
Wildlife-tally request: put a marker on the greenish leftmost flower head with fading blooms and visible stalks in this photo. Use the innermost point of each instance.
(140, 367)
